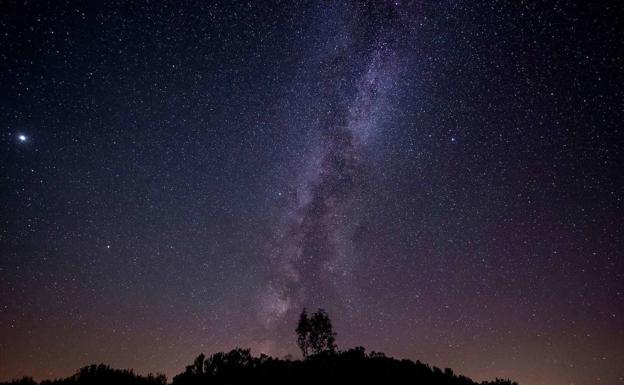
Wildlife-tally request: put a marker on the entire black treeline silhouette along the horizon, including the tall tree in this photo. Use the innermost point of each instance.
(322, 364)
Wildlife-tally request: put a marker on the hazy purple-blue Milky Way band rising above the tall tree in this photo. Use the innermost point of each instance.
(313, 253)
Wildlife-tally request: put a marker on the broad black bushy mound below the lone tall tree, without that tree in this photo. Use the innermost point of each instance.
(353, 366)
